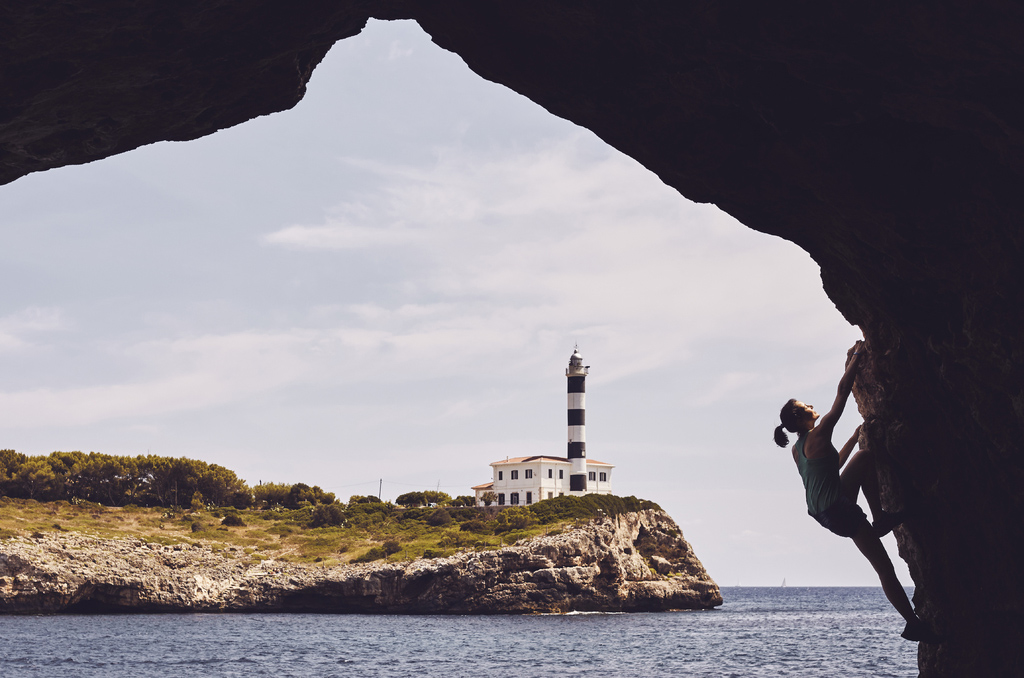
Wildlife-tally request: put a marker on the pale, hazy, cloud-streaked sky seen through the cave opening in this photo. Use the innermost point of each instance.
(380, 289)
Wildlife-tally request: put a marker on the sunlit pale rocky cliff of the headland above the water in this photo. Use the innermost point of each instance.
(602, 566)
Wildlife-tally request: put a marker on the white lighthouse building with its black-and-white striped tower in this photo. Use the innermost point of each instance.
(529, 480)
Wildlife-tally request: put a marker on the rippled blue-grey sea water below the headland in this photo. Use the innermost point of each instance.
(757, 632)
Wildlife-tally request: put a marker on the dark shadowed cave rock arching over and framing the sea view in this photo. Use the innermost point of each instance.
(885, 140)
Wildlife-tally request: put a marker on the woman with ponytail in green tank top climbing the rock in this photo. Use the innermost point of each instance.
(832, 498)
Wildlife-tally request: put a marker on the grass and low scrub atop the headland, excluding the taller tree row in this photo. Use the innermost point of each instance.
(363, 531)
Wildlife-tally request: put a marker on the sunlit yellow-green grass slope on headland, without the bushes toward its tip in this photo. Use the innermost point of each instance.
(393, 534)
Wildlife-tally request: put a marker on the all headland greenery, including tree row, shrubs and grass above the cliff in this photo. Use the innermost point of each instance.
(182, 500)
